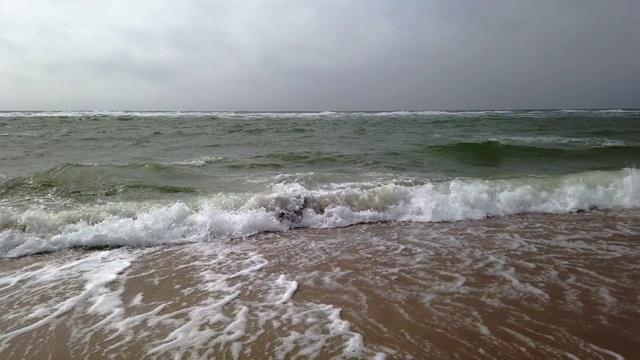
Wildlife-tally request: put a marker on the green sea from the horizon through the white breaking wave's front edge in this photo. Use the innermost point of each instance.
(197, 176)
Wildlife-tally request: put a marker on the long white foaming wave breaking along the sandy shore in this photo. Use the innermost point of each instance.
(292, 205)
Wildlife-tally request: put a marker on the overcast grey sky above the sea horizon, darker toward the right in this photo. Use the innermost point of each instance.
(319, 55)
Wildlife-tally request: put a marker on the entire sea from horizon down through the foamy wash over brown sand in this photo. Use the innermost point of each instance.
(329, 235)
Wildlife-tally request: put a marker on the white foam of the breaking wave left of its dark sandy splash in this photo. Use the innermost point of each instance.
(164, 225)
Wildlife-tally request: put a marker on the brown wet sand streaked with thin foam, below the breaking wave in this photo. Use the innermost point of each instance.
(529, 286)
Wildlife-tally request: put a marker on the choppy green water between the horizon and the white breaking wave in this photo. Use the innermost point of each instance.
(89, 153)
